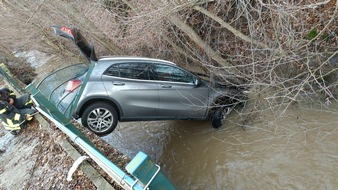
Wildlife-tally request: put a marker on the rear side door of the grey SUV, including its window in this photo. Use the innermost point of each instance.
(129, 85)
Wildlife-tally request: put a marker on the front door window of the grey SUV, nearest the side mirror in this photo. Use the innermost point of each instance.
(170, 73)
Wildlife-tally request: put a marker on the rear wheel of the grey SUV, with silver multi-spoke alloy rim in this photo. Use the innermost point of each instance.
(101, 118)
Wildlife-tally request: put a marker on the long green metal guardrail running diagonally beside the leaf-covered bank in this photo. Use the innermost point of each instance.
(146, 174)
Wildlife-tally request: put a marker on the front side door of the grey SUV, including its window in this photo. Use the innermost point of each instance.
(179, 96)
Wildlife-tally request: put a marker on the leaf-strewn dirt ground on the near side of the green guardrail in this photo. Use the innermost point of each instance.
(34, 160)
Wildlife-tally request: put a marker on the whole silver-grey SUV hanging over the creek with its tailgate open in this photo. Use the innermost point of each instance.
(138, 89)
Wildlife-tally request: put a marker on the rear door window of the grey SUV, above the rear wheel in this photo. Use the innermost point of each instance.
(129, 70)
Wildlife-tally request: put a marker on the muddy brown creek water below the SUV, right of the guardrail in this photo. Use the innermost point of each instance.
(296, 148)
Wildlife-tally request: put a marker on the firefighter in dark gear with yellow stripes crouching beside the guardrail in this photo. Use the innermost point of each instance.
(15, 112)
